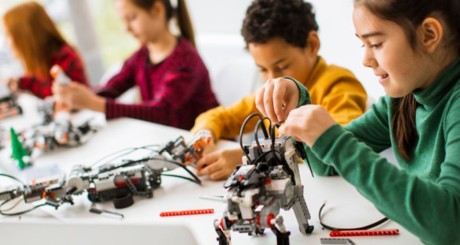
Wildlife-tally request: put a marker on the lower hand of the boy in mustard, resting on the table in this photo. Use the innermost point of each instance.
(219, 165)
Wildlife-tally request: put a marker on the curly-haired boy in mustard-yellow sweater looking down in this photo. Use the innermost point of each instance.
(281, 45)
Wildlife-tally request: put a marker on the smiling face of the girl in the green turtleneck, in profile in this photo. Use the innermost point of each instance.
(388, 53)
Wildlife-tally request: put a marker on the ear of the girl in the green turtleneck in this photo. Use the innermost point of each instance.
(431, 34)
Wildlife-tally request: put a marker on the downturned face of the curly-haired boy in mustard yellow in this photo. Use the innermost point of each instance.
(277, 58)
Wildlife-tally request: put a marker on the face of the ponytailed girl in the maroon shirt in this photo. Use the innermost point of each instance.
(142, 24)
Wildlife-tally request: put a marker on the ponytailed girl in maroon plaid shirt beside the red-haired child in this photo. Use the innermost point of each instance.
(173, 81)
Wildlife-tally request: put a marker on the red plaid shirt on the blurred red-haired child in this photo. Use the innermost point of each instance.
(70, 62)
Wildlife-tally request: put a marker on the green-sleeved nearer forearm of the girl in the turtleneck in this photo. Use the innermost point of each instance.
(411, 201)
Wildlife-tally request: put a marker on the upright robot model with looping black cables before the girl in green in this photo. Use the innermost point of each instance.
(267, 181)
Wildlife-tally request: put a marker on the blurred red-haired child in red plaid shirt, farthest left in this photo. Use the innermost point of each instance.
(37, 43)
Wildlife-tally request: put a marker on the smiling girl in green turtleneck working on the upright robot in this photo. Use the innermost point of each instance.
(412, 47)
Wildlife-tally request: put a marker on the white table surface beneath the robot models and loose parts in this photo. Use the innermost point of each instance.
(345, 206)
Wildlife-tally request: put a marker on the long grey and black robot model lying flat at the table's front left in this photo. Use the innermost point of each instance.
(119, 185)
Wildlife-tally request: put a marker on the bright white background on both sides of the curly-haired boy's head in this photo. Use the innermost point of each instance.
(218, 22)
